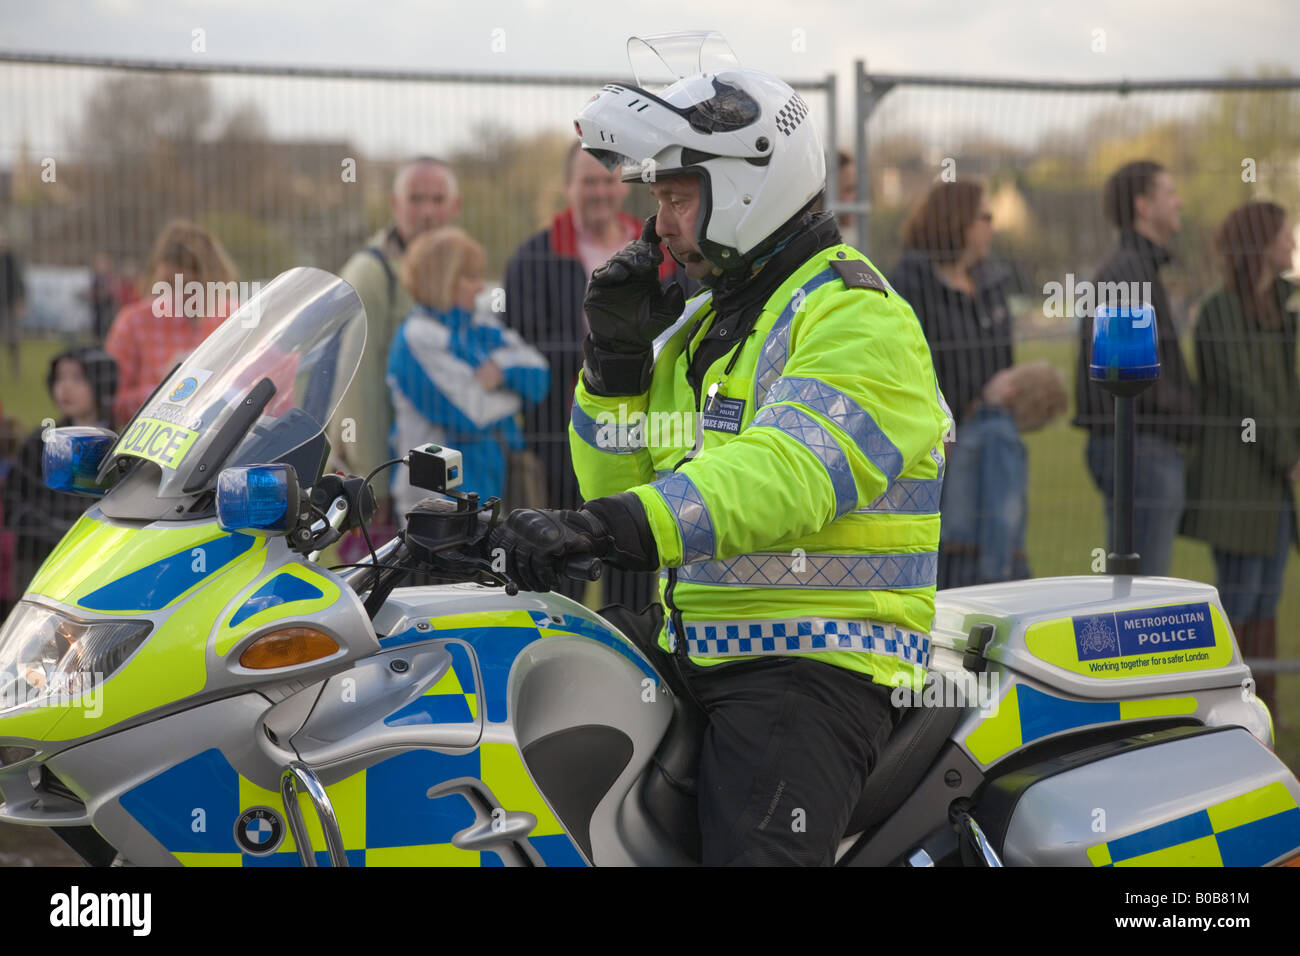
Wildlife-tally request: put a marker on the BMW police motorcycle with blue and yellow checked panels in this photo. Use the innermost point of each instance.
(185, 684)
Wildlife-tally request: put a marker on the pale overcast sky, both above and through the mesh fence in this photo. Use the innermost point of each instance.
(798, 40)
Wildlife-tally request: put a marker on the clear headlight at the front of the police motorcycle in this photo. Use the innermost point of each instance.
(46, 655)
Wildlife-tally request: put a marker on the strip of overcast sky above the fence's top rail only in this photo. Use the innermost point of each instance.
(804, 38)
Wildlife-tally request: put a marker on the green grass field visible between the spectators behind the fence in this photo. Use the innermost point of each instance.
(1067, 518)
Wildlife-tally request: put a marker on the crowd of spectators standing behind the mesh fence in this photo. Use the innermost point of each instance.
(492, 373)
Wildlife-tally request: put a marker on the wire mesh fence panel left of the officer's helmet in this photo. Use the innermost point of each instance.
(285, 168)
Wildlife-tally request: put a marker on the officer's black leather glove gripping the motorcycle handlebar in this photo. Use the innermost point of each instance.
(538, 543)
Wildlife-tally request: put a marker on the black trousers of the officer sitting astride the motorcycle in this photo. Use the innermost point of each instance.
(785, 760)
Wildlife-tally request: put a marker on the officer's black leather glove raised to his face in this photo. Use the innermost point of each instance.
(626, 310)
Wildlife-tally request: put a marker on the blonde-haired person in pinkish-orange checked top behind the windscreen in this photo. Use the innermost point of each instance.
(149, 338)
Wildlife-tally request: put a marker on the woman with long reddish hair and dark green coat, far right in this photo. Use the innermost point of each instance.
(1241, 499)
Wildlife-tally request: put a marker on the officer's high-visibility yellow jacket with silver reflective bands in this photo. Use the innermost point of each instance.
(807, 522)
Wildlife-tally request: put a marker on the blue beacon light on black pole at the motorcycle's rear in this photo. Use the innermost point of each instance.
(1125, 362)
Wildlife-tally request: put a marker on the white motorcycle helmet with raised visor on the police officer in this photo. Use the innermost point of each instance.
(744, 133)
